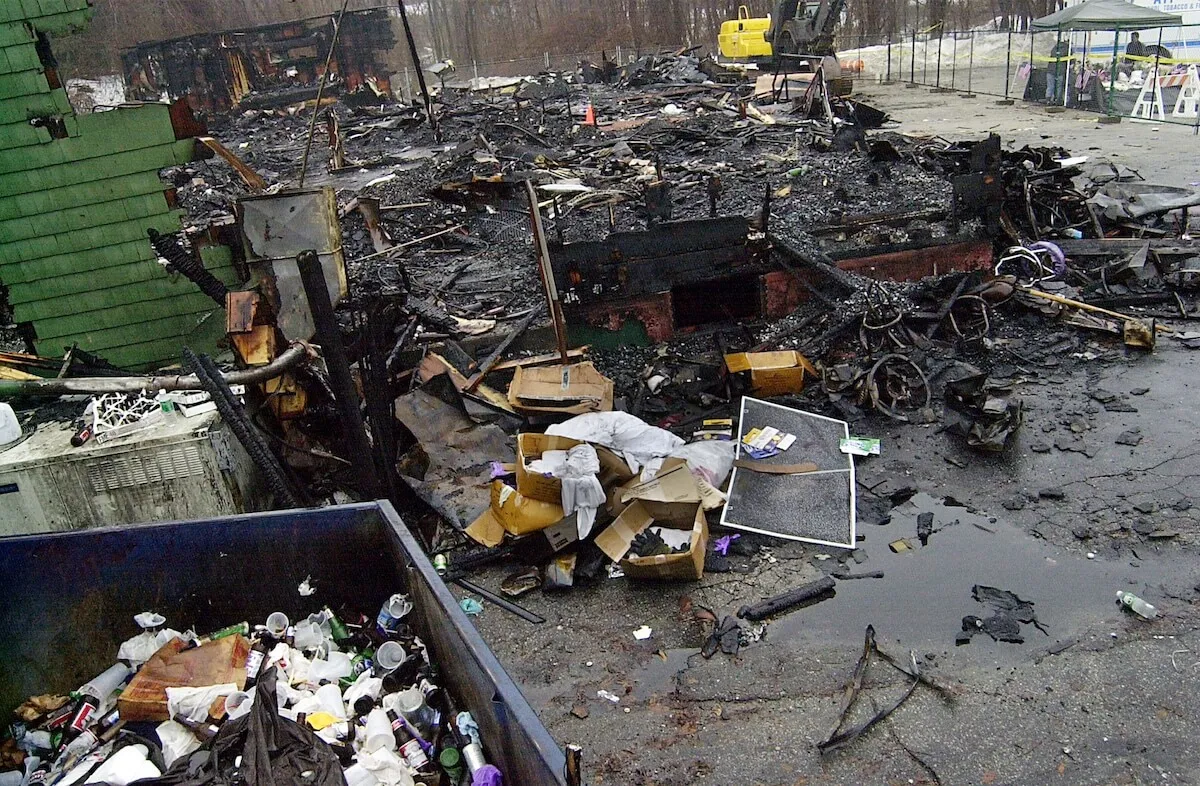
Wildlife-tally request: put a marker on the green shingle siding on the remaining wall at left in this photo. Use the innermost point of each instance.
(74, 213)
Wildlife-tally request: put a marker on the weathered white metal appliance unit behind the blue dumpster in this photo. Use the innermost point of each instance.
(182, 469)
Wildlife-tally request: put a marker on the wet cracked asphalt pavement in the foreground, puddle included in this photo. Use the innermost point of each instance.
(1102, 698)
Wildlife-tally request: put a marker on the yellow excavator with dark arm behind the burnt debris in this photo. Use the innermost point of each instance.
(797, 27)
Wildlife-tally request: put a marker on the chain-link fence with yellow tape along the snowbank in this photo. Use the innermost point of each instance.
(1156, 79)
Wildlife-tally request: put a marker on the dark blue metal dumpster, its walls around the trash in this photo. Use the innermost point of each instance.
(70, 598)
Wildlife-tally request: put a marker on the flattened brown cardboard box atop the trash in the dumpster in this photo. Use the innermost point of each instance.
(217, 663)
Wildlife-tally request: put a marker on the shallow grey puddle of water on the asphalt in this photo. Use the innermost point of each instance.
(925, 595)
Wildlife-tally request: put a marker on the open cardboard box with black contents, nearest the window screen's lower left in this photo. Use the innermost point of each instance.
(616, 541)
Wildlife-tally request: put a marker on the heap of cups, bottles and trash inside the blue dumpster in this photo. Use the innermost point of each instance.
(326, 701)
